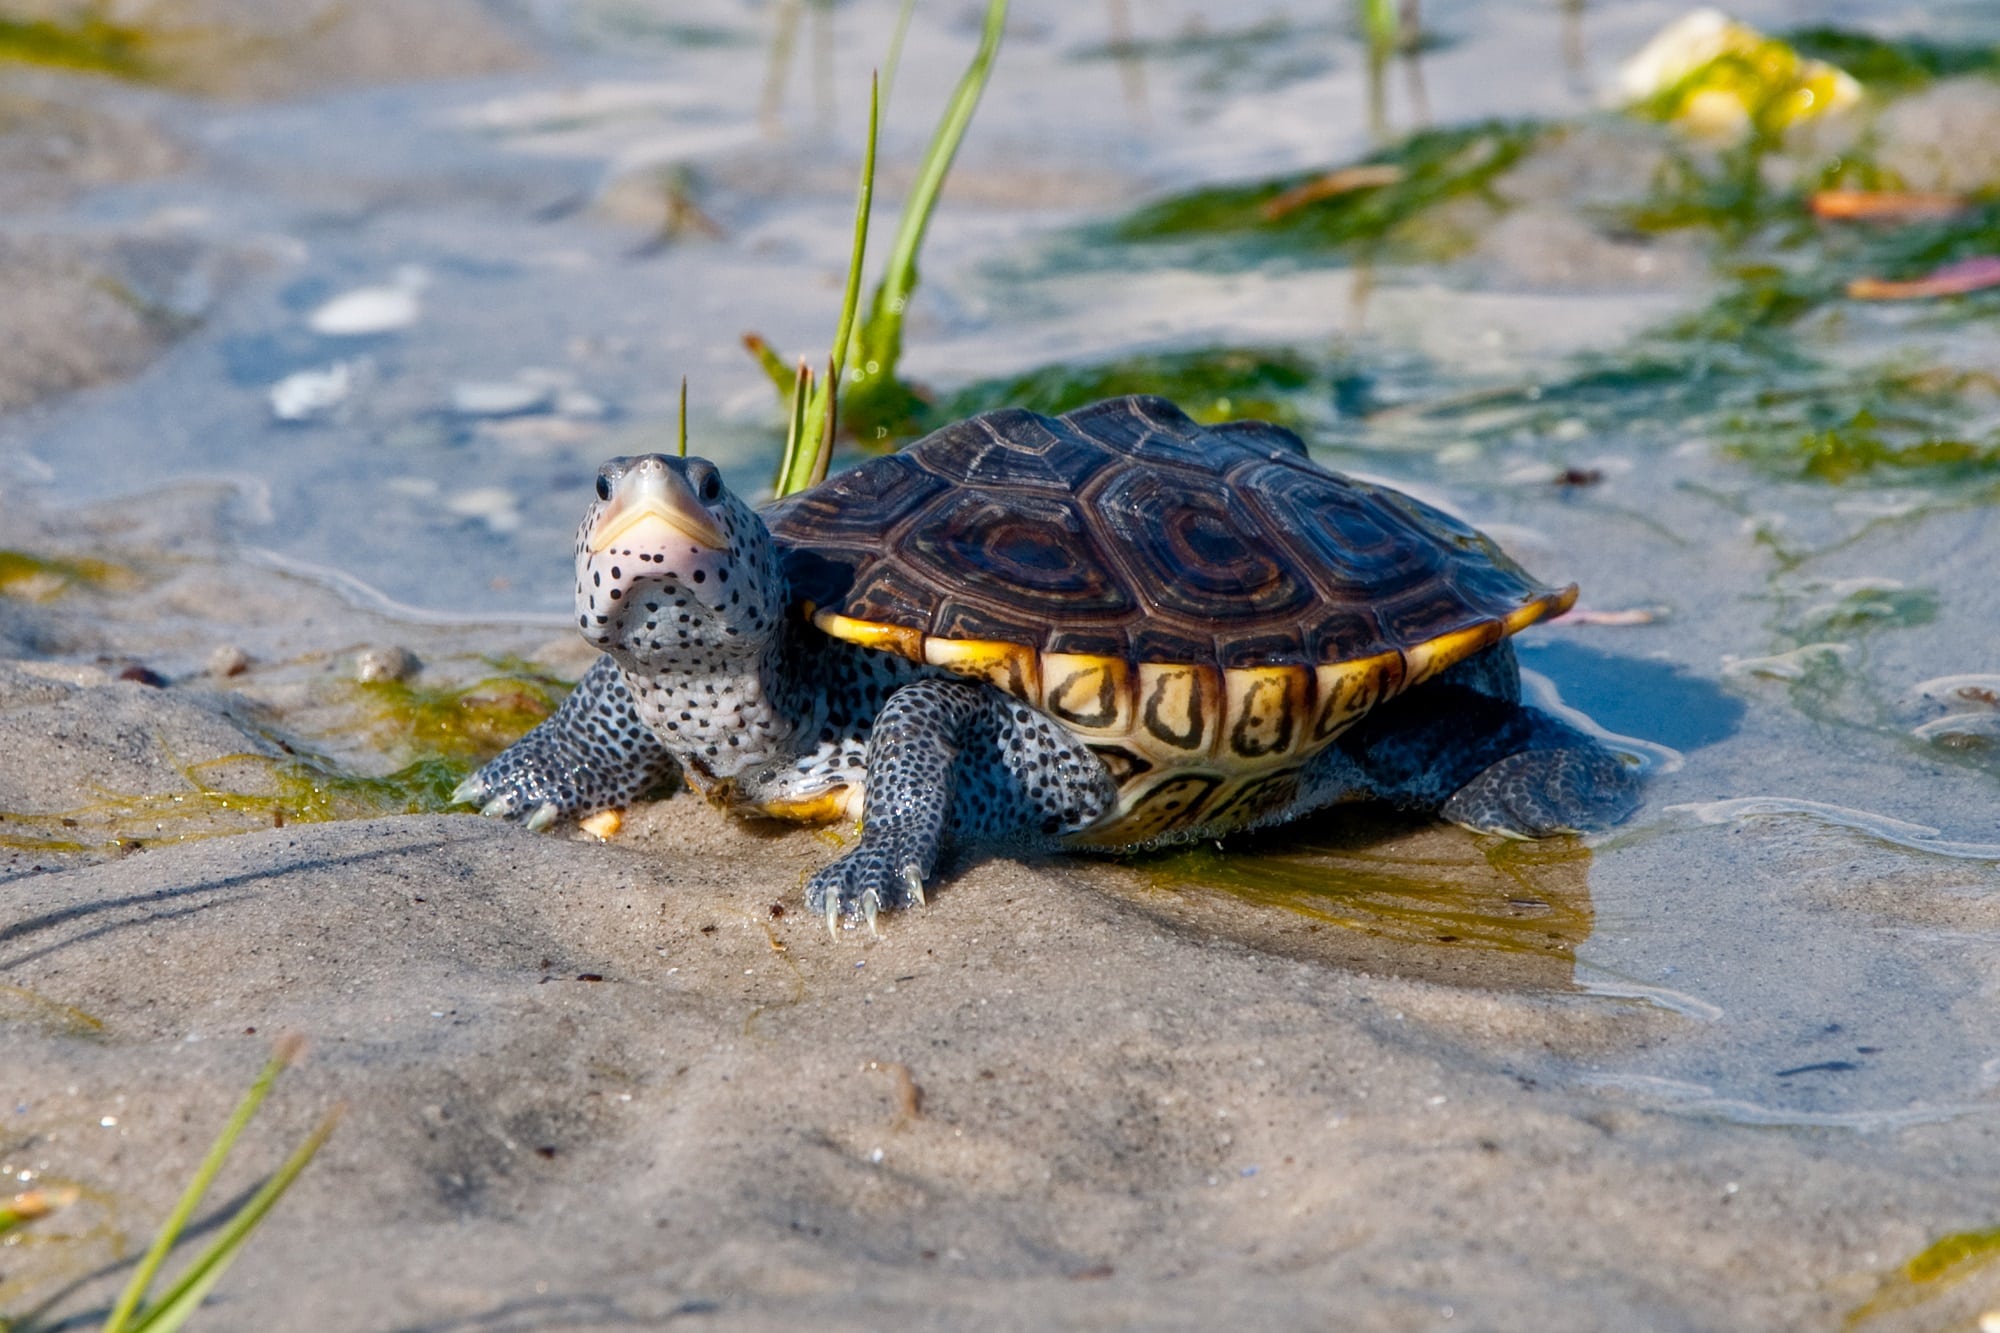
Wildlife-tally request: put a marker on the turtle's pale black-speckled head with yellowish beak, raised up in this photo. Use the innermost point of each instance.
(673, 569)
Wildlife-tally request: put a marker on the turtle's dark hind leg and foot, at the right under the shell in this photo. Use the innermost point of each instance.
(1487, 764)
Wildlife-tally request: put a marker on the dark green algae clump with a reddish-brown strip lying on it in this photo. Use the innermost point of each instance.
(1287, 217)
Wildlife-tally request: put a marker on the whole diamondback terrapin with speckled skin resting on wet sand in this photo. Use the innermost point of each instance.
(1109, 629)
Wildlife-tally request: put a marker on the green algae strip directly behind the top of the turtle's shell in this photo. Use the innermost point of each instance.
(1209, 383)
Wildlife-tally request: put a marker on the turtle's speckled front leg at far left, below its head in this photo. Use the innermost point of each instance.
(593, 756)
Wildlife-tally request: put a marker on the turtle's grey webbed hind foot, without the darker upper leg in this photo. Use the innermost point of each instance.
(1541, 794)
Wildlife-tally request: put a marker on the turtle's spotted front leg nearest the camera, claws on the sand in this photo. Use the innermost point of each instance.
(957, 762)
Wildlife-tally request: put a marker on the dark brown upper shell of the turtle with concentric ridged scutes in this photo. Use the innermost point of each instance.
(1129, 531)
